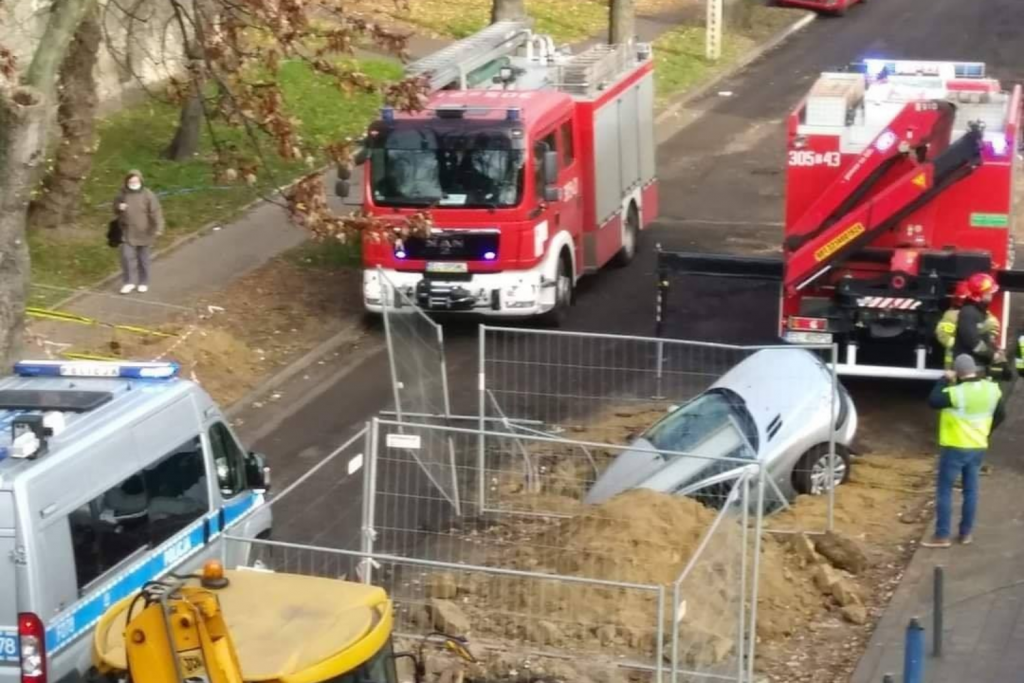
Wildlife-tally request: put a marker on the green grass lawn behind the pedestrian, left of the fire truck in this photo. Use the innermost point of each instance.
(137, 138)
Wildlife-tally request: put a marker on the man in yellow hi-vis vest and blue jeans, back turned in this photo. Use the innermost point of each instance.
(971, 408)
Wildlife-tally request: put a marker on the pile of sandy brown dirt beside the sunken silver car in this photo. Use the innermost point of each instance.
(647, 538)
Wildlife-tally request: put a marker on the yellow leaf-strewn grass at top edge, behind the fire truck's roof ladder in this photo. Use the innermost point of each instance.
(566, 21)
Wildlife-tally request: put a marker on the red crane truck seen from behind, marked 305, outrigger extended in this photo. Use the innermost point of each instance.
(900, 184)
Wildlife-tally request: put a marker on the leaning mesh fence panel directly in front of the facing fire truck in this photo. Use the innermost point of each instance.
(419, 377)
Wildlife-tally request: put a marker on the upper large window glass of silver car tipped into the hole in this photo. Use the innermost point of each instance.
(687, 429)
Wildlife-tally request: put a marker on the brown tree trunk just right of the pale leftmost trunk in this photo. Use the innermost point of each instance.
(60, 202)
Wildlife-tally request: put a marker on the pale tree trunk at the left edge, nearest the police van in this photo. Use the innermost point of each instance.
(25, 115)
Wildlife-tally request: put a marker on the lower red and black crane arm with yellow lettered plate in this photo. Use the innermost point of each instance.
(883, 212)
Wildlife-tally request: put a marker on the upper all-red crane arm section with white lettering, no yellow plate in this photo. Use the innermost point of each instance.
(924, 129)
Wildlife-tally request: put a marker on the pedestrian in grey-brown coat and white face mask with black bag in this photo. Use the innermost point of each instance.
(142, 221)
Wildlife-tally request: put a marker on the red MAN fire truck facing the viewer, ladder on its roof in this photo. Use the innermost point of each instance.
(537, 167)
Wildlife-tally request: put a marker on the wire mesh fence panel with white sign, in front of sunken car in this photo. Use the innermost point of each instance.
(544, 508)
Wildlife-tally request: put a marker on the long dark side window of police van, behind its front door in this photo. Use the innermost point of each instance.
(140, 514)
